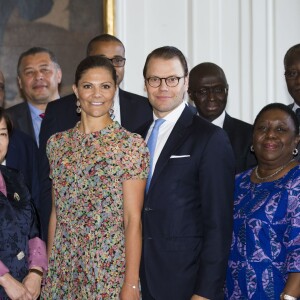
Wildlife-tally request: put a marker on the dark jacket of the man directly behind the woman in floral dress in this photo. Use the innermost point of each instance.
(61, 115)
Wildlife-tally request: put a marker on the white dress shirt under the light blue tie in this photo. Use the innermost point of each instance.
(164, 130)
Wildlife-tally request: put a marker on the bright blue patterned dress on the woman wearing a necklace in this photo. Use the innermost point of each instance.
(266, 237)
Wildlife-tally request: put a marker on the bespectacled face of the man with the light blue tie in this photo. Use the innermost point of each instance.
(165, 99)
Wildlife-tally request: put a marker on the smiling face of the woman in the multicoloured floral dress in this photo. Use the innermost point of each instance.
(95, 91)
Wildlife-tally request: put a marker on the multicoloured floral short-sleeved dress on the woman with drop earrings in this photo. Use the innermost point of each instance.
(87, 170)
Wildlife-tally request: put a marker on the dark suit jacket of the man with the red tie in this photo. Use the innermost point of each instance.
(21, 118)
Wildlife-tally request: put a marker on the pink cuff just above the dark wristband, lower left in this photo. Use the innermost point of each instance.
(37, 253)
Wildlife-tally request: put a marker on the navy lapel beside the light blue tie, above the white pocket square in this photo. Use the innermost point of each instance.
(175, 140)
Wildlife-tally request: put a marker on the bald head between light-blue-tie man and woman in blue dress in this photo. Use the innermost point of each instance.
(208, 88)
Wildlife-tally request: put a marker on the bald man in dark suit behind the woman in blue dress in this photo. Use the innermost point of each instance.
(208, 88)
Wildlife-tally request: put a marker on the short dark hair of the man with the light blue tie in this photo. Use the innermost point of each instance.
(167, 52)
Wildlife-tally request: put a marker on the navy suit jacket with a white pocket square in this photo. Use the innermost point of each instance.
(187, 215)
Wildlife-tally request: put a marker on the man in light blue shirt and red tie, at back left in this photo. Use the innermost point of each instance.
(39, 76)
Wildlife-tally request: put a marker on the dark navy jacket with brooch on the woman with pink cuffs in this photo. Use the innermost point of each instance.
(18, 224)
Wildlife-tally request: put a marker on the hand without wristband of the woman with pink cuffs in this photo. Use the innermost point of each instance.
(14, 289)
